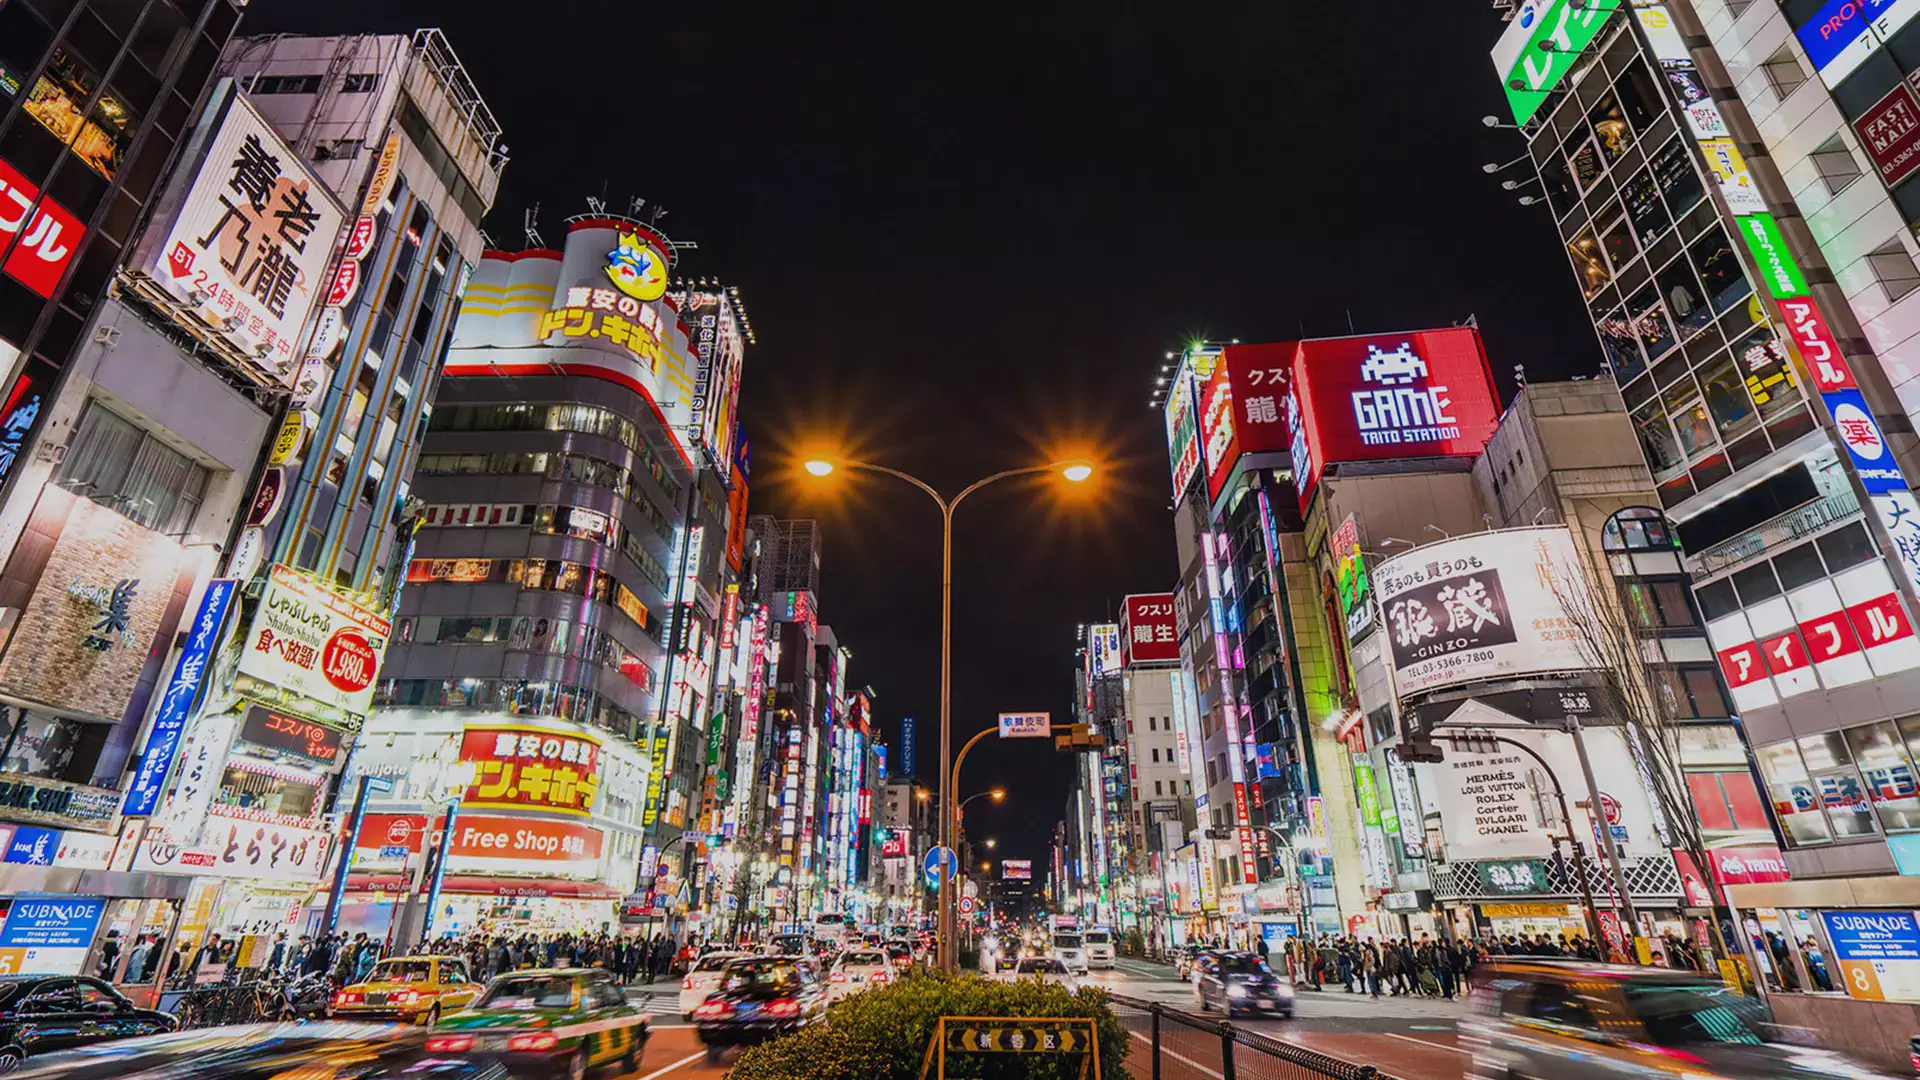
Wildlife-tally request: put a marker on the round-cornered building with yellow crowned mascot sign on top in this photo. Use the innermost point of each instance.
(569, 585)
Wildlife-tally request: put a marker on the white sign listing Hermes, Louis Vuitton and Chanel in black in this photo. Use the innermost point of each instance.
(1487, 800)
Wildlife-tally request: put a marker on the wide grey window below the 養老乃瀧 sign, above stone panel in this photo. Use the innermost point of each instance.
(124, 468)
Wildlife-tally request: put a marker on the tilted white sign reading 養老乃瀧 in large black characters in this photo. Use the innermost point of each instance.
(247, 253)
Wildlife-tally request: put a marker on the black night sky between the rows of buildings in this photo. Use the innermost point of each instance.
(969, 237)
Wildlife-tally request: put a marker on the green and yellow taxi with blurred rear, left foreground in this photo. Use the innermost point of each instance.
(556, 1023)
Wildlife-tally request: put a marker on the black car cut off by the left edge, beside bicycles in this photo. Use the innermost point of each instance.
(47, 1014)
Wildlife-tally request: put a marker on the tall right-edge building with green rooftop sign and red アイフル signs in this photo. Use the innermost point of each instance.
(1773, 399)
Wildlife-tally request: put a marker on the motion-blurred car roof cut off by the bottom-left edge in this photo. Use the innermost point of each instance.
(270, 1052)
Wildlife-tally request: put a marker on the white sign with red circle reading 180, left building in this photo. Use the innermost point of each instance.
(314, 643)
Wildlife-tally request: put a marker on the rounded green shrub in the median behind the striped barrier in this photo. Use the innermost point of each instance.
(882, 1035)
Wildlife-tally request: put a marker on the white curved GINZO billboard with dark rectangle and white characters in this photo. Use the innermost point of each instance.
(1481, 606)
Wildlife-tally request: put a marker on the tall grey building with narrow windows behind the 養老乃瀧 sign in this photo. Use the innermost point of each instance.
(396, 130)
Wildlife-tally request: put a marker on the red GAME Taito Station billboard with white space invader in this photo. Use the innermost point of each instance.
(1383, 397)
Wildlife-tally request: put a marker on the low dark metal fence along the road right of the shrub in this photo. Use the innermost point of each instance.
(1170, 1044)
